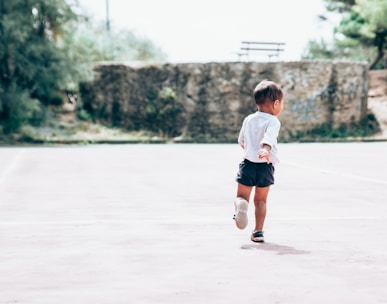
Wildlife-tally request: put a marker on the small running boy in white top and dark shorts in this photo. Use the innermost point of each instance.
(258, 138)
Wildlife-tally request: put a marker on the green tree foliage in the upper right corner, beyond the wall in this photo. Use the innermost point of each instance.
(360, 35)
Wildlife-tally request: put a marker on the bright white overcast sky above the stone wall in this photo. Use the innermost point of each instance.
(212, 30)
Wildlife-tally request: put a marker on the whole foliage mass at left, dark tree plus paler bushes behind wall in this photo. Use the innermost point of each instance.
(49, 46)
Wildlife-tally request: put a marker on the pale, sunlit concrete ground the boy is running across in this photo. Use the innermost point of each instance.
(153, 224)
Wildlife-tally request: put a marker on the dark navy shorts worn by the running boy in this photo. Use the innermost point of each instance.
(255, 174)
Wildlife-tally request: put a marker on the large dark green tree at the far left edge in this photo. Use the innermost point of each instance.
(34, 67)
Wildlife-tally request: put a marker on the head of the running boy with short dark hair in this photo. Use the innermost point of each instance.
(269, 97)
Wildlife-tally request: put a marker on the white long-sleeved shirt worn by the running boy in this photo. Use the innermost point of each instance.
(257, 129)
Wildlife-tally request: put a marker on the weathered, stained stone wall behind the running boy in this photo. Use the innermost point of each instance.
(209, 101)
